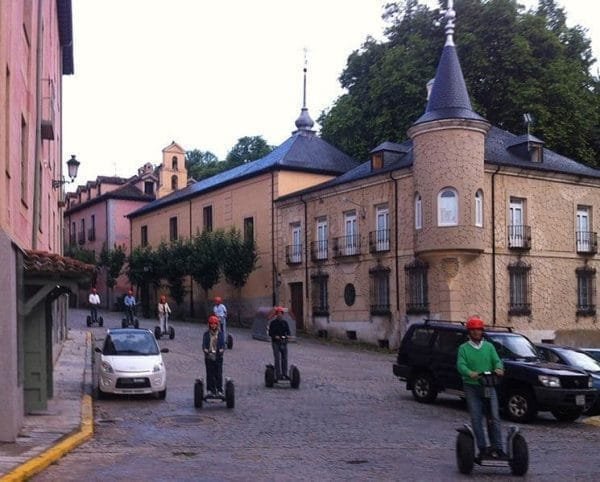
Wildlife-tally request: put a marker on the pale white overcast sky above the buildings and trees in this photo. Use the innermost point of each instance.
(204, 73)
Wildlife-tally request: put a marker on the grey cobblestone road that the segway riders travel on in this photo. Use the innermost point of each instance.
(349, 420)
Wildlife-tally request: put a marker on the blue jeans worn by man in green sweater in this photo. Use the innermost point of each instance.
(477, 406)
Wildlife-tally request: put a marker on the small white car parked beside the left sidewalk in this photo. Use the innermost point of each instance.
(131, 363)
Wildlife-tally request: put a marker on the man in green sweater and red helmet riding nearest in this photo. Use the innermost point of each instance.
(474, 357)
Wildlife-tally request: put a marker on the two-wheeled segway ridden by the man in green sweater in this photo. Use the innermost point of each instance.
(517, 452)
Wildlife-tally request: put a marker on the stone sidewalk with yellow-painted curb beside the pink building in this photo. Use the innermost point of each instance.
(68, 420)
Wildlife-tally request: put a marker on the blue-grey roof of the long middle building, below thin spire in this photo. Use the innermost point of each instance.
(300, 152)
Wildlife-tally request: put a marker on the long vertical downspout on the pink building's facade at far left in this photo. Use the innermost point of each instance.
(38, 132)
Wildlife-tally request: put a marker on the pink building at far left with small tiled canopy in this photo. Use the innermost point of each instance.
(35, 52)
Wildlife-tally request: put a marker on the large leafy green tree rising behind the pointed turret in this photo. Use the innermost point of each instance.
(514, 61)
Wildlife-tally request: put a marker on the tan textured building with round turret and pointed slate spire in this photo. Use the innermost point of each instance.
(462, 218)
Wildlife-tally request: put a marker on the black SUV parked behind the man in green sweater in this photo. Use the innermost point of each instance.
(427, 362)
